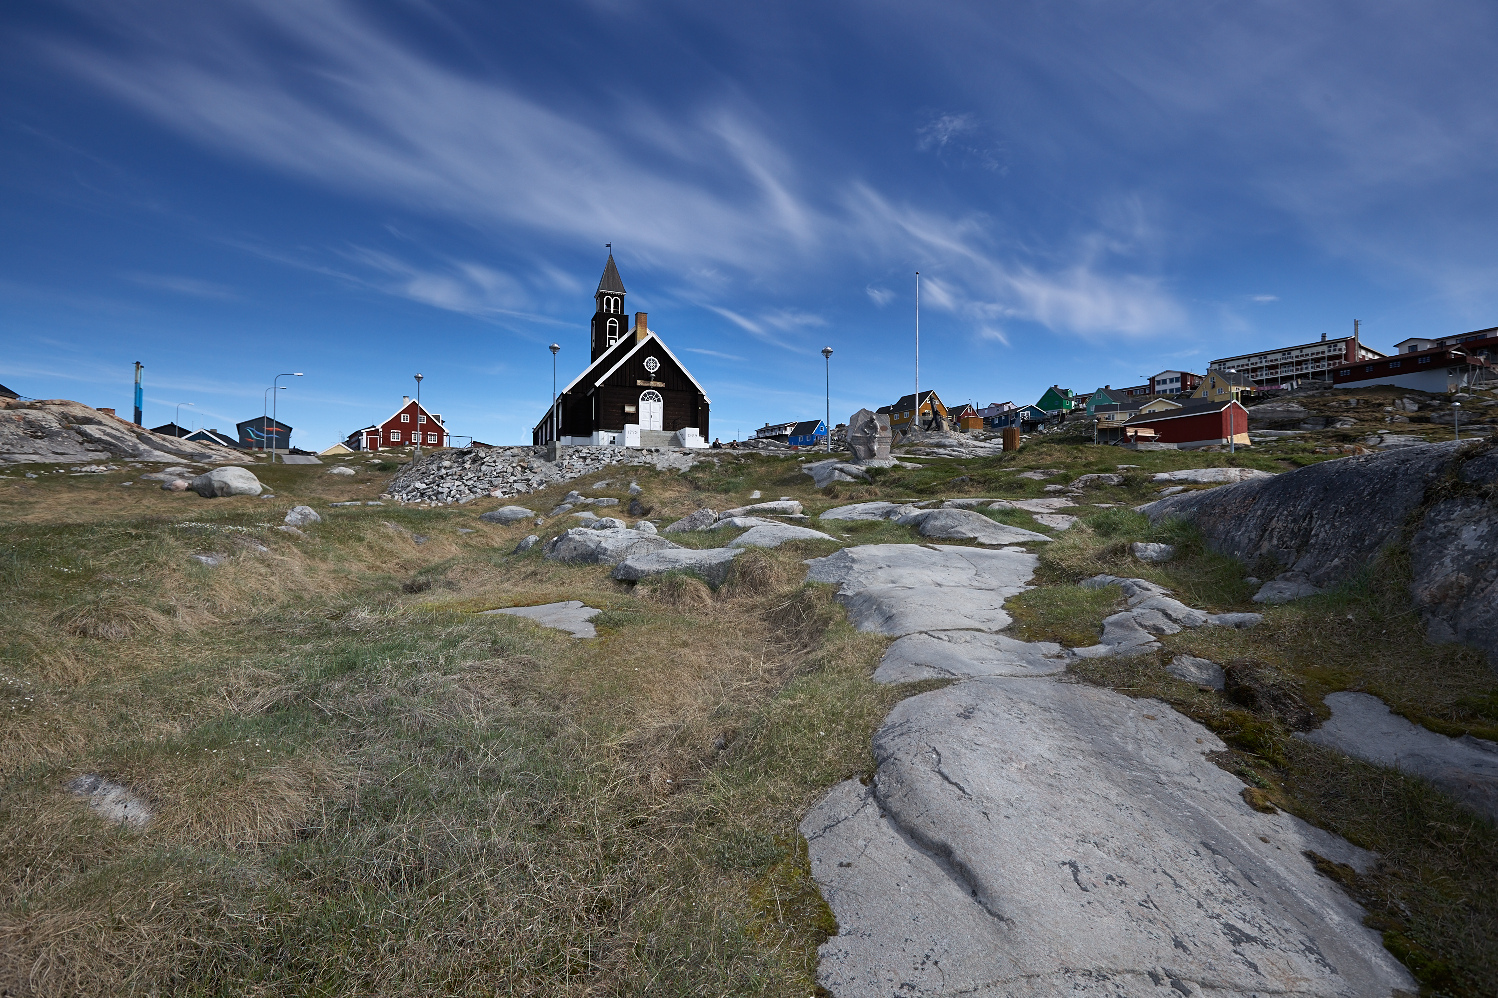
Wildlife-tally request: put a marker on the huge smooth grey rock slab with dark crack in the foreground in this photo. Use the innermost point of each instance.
(1036, 838)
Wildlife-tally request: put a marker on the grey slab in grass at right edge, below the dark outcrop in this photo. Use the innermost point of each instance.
(1364, 728)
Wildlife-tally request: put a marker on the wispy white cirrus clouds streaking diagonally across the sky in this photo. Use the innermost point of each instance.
(366, 115)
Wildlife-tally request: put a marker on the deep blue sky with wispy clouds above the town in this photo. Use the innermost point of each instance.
(1091, 191)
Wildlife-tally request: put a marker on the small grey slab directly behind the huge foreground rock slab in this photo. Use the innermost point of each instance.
(965, 656)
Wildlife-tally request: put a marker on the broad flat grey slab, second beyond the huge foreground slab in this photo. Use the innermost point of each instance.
(906, 588)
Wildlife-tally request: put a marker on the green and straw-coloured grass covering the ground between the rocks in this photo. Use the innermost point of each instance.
(362, 787)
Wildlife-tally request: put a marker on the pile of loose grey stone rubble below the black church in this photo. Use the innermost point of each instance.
(471, 473)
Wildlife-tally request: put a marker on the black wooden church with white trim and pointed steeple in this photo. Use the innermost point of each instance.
(634, 393)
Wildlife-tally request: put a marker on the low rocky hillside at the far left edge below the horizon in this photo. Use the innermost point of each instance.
(70, 432)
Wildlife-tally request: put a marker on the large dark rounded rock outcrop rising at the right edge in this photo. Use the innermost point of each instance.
(1329, 521)
